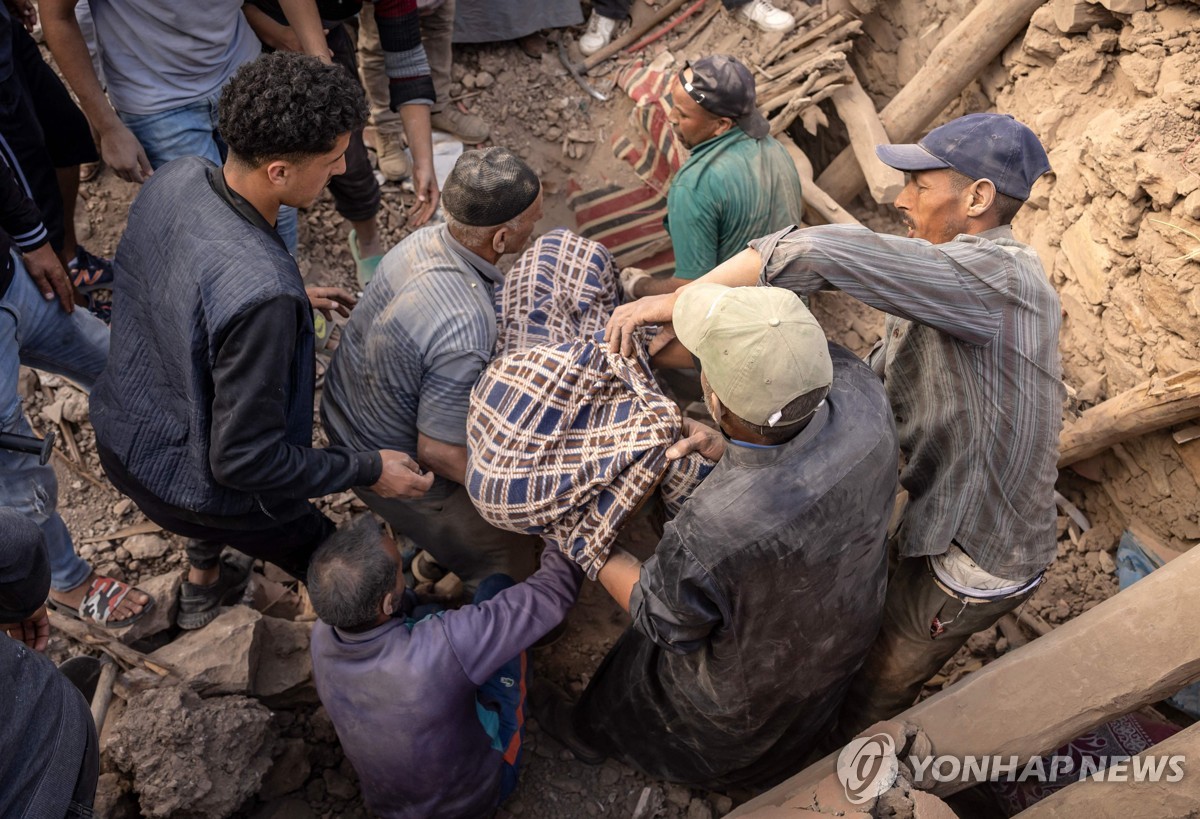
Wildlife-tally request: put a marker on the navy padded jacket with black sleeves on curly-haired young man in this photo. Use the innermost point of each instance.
(207, 399)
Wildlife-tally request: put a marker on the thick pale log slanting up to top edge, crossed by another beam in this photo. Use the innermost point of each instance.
(955, 63)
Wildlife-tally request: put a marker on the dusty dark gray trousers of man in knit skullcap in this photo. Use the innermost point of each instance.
(458, 537)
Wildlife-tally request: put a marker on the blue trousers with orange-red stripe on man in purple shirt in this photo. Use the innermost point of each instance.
(502, 700)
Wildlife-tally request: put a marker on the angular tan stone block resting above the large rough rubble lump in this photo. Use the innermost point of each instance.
(220, 659)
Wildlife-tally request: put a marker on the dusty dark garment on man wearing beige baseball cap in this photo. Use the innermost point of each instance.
(759, 605)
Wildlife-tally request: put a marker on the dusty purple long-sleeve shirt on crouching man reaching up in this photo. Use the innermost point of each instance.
(403, 696)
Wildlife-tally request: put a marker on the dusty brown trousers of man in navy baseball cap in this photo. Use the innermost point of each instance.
(907, 653)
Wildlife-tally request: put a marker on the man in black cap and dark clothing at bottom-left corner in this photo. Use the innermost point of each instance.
(41, 713)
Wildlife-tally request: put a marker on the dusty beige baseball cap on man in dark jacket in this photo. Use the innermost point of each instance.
(760, 348)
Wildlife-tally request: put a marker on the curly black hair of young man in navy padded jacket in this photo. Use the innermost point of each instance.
(289, 106)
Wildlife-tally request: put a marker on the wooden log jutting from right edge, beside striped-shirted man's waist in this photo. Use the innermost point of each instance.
(1151, 406)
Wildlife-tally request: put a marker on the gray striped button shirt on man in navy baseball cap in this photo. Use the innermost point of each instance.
(970, 362)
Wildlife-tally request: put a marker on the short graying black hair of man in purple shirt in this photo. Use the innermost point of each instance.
(351, 575)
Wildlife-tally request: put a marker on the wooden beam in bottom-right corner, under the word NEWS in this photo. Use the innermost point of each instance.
(1131, 798)
